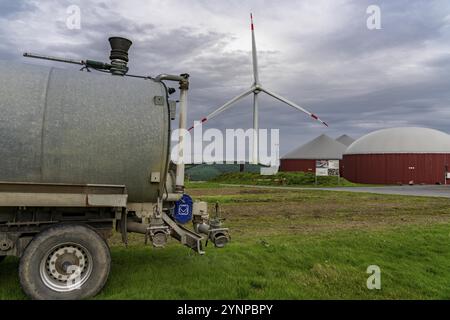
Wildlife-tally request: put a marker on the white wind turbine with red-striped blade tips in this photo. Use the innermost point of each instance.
(256, 88)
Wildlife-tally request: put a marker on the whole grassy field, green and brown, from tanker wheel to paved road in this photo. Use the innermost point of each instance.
(291, 245)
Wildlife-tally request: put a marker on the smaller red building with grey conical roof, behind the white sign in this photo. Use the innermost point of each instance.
(304, 158)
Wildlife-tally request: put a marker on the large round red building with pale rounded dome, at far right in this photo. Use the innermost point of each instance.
(399, 156)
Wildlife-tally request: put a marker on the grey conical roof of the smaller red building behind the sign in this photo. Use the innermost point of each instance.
(321, 148)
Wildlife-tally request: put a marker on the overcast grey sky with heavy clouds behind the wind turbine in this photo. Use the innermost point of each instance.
(319, 54)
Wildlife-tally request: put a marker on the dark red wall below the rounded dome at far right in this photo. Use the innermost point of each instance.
(428, 168)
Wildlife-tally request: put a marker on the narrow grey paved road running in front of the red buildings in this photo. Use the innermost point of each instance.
(423, 191)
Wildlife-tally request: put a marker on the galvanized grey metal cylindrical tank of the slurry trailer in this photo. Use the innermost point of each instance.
(66, 126)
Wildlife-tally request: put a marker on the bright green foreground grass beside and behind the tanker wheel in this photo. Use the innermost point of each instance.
(414, 264)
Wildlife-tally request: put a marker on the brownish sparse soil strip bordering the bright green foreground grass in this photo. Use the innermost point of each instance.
(294, 217)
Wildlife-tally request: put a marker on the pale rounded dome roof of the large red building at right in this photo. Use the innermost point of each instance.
(402, 140)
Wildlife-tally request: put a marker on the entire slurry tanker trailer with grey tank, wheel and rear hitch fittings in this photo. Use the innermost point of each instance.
(84, 152)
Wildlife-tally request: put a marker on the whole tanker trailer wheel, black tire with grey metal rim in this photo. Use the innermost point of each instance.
(65, 262)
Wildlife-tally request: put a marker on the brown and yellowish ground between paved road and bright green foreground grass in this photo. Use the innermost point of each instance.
(301, 211)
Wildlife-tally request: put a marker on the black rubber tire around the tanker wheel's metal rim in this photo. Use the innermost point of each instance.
(30, 275)
